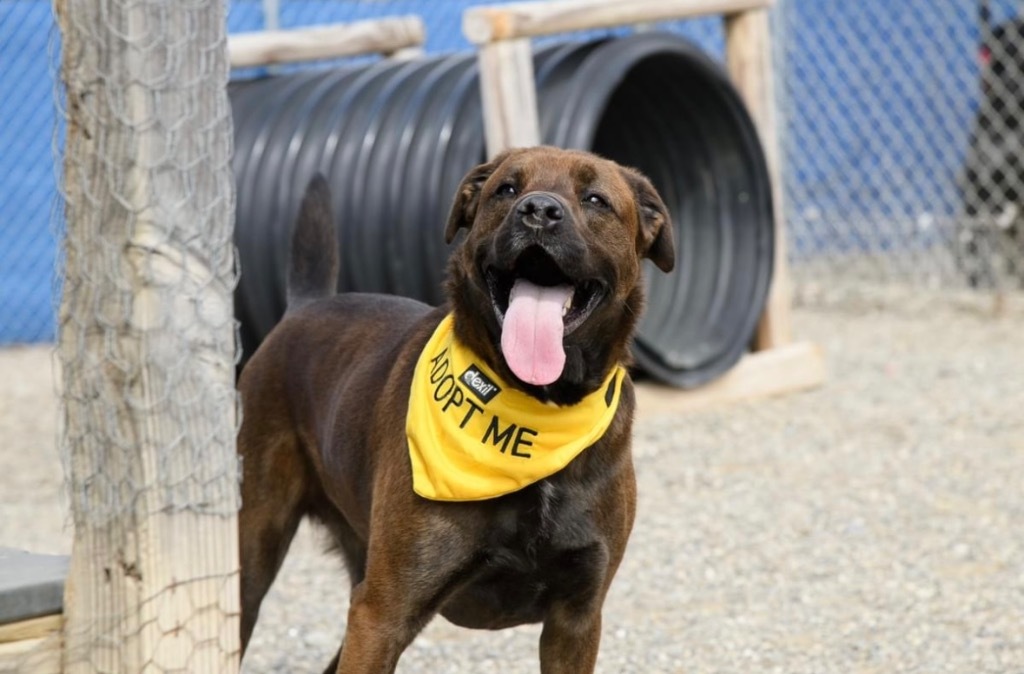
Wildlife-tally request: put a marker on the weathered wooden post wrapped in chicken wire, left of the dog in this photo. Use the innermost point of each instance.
(147, 339)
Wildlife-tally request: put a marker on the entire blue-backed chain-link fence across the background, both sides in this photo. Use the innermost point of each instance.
(902, 137)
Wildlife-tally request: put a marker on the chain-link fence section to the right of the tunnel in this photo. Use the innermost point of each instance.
(902, 142)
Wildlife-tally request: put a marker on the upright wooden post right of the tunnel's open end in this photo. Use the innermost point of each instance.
(749, 59)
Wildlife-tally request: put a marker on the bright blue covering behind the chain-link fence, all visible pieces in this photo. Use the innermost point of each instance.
(878, 107)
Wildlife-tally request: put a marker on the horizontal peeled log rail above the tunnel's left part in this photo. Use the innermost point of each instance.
(386, 36)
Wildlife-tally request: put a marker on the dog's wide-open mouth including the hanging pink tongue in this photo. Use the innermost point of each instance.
(538, 305)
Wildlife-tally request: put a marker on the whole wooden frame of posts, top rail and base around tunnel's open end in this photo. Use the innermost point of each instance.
(779, 366)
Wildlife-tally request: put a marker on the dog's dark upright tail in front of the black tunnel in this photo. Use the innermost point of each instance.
(313, 270)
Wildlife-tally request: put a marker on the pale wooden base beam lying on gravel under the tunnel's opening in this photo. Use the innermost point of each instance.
(796, 367)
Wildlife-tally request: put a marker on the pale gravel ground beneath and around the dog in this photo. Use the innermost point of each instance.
(876, 525)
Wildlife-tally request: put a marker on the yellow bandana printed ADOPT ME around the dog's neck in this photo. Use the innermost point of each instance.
(472, 437)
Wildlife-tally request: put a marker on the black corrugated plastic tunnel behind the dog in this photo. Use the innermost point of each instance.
(395, 140)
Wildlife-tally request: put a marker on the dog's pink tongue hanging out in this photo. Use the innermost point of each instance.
(532, 333)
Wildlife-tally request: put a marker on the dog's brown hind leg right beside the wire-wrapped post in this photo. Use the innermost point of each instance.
(273, 505)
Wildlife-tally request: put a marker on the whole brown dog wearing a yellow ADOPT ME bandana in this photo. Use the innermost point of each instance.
(544, 296)
